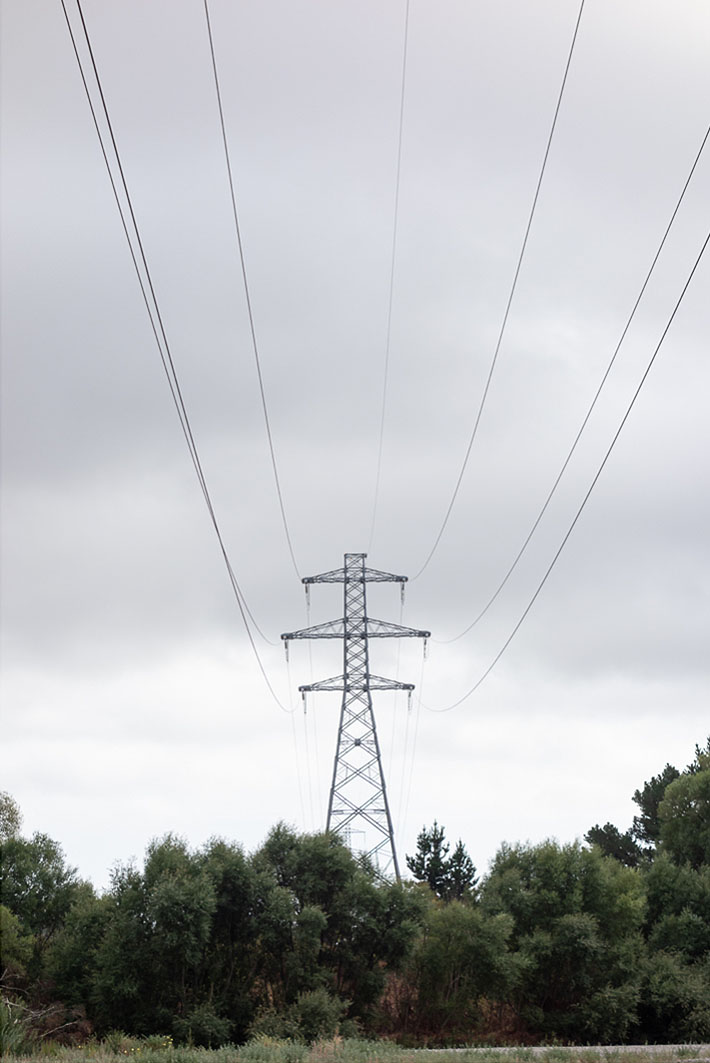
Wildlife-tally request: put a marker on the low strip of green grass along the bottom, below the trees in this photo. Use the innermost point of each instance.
(119, 1049)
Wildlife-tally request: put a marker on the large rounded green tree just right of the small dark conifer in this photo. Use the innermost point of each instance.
(578, 918)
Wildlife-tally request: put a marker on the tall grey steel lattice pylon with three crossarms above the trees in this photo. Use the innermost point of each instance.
(359, 795)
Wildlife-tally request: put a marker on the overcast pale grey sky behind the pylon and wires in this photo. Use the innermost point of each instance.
(133, 704)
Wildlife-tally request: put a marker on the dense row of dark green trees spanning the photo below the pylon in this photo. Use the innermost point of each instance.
(604, 941)
